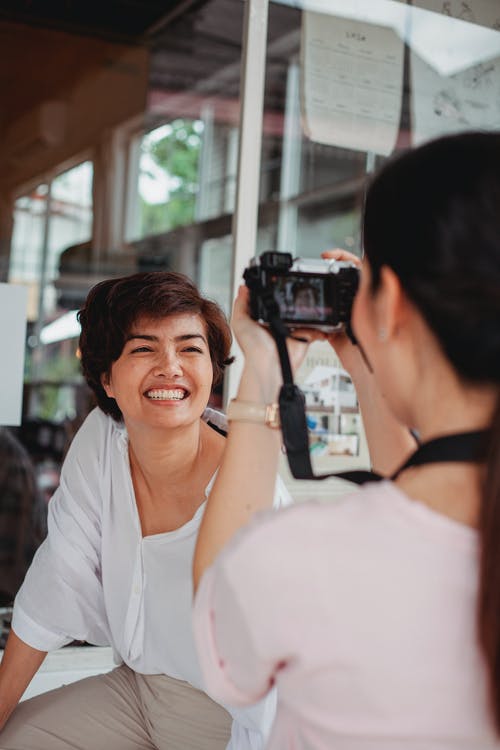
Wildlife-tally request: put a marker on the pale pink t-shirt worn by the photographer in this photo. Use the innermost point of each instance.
(363, 613)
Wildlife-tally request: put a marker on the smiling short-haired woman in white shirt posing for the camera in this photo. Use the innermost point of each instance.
(116, 566)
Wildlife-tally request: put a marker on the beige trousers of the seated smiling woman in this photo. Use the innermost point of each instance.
(120, 710)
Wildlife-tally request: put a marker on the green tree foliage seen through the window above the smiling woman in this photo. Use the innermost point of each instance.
(177, 153)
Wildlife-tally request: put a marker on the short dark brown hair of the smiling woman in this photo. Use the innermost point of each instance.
(113, 306)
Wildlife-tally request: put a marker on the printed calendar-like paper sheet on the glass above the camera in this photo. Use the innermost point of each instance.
(351, 83)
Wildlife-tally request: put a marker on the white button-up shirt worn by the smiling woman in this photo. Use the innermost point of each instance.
(96, 578)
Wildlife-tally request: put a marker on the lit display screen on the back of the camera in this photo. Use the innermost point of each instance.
(302, 298)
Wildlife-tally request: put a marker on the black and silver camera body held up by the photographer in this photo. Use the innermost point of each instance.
(310, 293)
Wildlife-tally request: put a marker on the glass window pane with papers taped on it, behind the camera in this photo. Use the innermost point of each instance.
(347, 85)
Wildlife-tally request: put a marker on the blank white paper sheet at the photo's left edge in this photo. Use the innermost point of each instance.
(13, 306)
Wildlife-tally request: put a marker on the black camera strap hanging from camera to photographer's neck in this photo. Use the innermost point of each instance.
(467, 446)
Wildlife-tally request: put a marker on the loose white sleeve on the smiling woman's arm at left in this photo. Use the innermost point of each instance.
(61, 598)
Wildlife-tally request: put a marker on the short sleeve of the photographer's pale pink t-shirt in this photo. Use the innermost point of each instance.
(239, 612)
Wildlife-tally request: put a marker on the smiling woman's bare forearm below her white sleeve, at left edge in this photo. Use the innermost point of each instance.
(19, 665)
